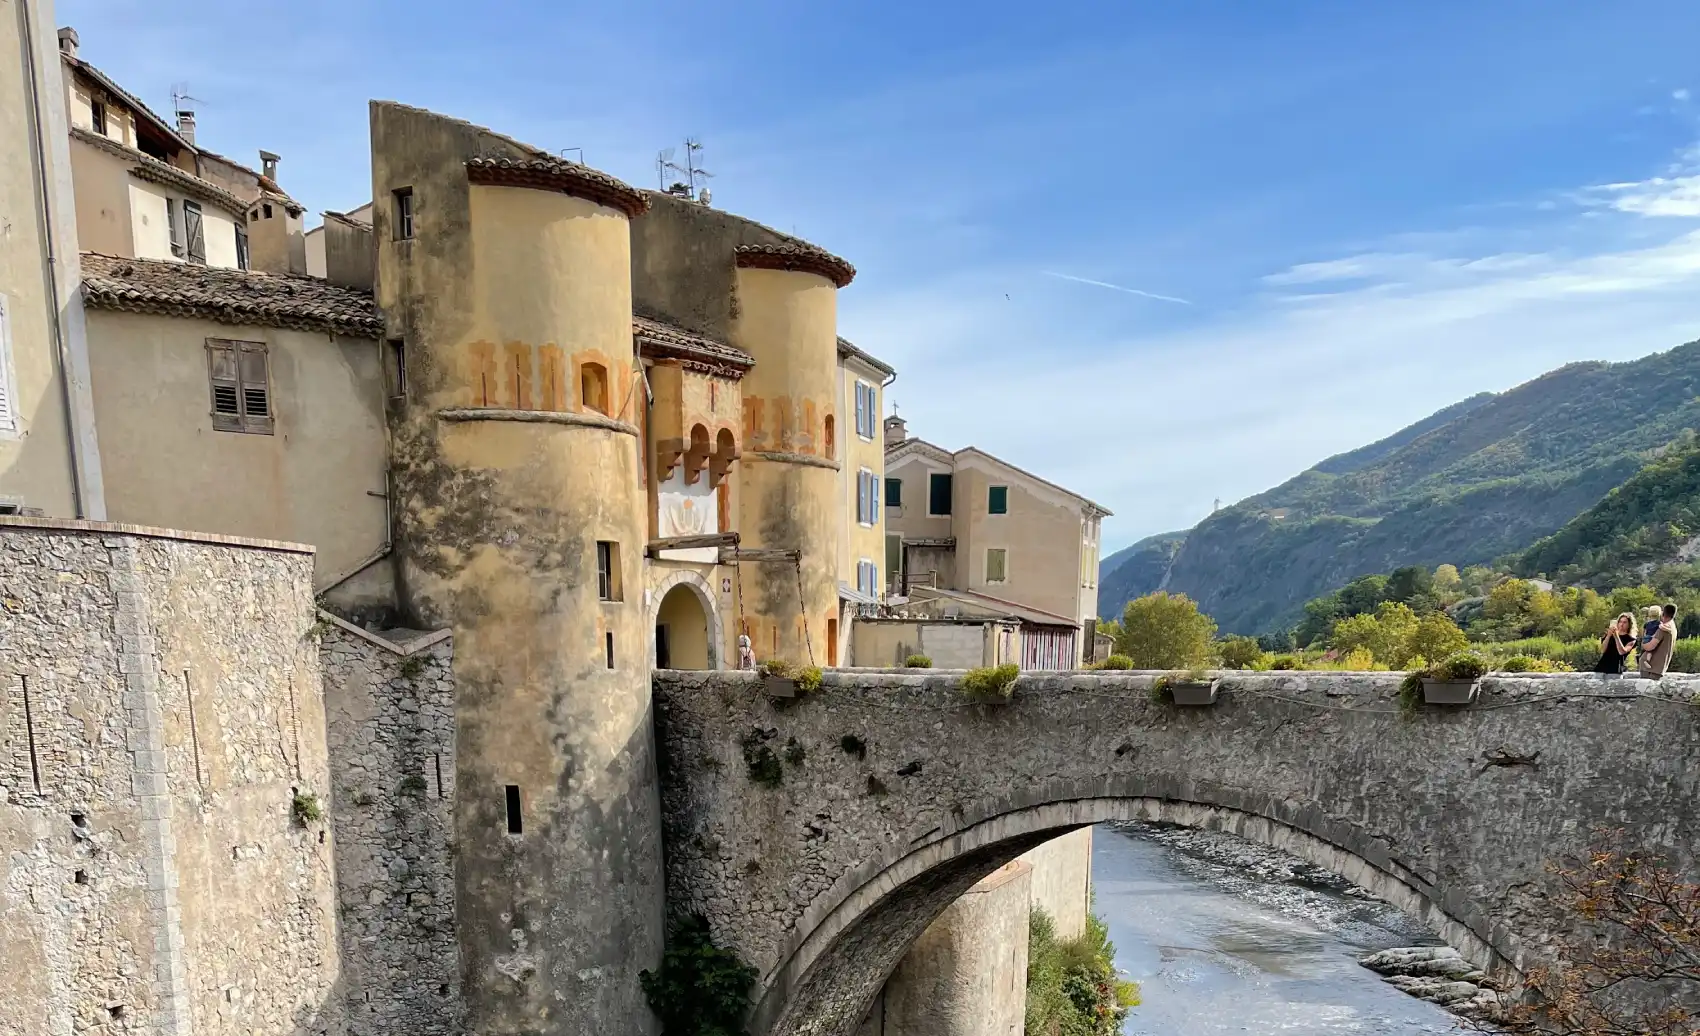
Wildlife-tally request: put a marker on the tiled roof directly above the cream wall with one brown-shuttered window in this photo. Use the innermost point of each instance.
(229, 297)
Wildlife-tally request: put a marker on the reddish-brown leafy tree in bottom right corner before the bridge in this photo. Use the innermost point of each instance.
(1636, 971)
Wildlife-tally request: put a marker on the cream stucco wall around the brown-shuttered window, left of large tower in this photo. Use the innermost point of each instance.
(314, 481)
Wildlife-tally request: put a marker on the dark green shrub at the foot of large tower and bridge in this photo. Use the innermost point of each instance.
(701, 989)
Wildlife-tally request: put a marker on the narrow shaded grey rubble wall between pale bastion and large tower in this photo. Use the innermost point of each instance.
(390, 709)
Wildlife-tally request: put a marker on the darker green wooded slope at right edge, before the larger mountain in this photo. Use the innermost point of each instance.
(1652, 520)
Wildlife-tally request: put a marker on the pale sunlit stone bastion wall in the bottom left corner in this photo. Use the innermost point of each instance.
(159, 722)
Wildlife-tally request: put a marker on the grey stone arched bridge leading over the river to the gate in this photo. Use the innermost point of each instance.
(897, 795)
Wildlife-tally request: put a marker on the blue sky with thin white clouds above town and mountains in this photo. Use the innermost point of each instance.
(1351, 213)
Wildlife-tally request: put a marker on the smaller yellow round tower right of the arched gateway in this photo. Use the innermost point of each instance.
(790, 496)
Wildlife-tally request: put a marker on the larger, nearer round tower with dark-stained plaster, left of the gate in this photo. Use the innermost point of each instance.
(504, 275)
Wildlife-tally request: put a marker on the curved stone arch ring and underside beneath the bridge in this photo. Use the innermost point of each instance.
(854, 935)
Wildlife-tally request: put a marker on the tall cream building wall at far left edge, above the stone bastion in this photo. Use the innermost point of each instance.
(35, 445)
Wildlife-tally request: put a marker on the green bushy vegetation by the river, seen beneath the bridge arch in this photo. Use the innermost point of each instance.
(1072, 986)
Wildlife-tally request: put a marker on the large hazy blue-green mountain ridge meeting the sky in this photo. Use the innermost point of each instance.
(1478, 481)
